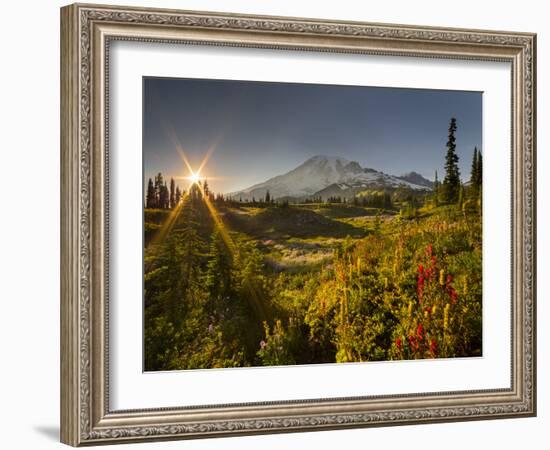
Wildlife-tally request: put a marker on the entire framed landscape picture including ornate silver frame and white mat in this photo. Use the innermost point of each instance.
(273, 224)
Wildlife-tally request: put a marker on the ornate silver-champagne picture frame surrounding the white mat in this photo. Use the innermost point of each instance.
(86, 31)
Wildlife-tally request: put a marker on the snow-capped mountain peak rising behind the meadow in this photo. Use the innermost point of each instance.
(321, 174)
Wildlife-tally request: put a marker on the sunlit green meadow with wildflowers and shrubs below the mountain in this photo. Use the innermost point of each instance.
(236, 284)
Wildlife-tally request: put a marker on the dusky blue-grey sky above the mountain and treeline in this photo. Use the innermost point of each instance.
(258, 130)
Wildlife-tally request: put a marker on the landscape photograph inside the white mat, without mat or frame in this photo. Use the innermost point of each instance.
(297, 224)
